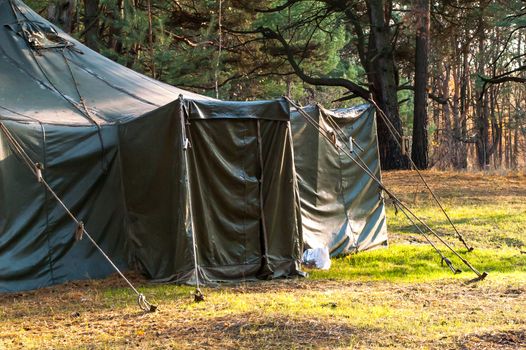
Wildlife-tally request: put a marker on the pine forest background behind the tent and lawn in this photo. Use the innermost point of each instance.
(449, 75)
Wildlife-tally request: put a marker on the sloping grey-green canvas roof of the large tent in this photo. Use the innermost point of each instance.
(43, 84)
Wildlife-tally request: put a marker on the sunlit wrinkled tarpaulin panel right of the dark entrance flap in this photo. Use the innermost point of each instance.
(341, 206)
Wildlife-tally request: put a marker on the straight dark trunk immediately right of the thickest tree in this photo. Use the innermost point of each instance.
(419, 150)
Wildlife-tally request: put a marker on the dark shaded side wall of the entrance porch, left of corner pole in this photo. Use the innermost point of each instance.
(154, 181)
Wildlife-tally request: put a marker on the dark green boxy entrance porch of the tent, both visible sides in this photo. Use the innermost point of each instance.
(233, 189)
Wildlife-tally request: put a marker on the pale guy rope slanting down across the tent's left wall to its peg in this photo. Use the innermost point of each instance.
(36, 168)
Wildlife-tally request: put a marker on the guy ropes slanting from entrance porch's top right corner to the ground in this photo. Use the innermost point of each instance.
(368, 171)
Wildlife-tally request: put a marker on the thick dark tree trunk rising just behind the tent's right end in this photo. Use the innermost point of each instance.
(383, 81)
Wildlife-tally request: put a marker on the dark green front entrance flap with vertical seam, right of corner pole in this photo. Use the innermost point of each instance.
(241, 172)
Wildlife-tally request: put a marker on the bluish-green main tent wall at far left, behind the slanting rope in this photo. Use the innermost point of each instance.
(37, 244)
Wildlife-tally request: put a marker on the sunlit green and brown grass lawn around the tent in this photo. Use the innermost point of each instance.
(399, 297)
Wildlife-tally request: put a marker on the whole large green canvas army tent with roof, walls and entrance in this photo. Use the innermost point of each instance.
(171, 183)
